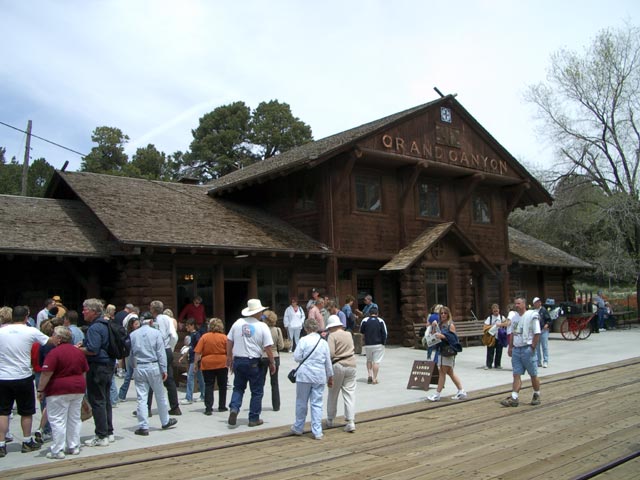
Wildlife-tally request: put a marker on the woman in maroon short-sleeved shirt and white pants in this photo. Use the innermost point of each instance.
(63, 383)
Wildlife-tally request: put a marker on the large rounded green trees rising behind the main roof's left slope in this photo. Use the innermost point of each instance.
(232, 137)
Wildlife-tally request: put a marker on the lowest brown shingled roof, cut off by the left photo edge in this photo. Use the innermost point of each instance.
(47, 226)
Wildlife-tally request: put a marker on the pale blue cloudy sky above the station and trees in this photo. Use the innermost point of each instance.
(153, 68)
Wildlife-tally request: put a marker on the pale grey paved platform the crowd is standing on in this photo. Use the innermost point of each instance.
(565, 356)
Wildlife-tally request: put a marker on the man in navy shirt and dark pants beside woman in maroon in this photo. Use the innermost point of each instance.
(100, 375)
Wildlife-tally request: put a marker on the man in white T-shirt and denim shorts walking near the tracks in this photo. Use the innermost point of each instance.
(525, 328)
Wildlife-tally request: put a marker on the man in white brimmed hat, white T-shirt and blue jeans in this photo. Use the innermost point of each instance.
(246, 341)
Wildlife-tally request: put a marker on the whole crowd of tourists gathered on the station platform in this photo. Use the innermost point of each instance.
(71, 371)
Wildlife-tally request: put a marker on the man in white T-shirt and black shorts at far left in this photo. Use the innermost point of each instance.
(16, 377)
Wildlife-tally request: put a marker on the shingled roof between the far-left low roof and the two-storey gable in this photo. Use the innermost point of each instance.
(152, 213)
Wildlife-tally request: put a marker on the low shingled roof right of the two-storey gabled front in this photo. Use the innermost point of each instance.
(531, 251)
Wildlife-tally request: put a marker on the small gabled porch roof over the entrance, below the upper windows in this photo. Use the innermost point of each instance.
(410, 254)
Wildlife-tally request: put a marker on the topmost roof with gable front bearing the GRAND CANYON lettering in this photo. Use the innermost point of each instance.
(446, 147)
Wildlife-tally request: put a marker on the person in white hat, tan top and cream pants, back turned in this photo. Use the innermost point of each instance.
(344, 373)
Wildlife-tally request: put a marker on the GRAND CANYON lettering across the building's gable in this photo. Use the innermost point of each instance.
(445, 154)
